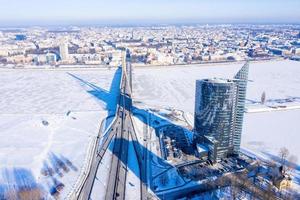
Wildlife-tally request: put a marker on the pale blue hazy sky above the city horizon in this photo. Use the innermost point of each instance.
(204, 11)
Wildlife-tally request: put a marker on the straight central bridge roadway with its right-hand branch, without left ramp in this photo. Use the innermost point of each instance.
(118, 172)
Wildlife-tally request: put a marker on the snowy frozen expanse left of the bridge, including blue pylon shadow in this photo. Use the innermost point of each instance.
(48, 119)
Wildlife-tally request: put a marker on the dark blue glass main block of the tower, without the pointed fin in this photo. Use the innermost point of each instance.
(215, 113)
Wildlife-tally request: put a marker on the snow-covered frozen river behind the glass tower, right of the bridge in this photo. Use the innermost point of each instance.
(175, 86)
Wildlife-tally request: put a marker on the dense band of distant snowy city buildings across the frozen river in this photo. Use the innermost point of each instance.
(163, 45)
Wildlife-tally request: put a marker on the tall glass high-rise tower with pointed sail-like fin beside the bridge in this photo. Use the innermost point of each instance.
(219, 110)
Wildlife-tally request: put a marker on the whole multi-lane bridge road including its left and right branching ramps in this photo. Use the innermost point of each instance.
(121, 129)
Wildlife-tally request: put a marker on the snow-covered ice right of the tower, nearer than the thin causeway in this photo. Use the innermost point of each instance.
(265, 133)
